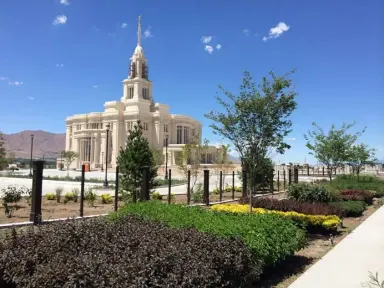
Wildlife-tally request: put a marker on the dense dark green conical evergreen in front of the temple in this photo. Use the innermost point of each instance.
(133, 158)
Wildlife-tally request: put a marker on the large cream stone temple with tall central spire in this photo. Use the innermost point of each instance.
(86, 134)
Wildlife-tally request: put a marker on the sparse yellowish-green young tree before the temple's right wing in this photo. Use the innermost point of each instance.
(190, 159)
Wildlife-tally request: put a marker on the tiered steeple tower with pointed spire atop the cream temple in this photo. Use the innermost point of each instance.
(137, 85)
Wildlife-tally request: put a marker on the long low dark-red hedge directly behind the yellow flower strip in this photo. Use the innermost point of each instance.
(286, 205)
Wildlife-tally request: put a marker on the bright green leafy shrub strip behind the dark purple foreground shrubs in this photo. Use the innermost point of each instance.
(271, 238)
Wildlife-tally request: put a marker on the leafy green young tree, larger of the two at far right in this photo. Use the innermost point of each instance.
(333, 148)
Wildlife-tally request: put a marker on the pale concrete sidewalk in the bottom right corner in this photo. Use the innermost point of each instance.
(348, 264)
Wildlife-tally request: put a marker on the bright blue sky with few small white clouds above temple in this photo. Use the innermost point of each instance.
(51, 70)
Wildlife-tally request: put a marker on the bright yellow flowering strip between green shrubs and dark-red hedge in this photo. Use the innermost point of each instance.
(327, 222)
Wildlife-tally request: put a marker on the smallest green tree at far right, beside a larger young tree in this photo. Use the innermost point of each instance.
(360, 155)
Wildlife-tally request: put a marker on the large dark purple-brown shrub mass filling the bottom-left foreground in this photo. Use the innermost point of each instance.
(140, 254)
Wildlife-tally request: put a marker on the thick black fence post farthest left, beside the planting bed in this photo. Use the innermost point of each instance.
(37, 192)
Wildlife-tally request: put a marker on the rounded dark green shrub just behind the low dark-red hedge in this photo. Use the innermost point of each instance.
(305, 192)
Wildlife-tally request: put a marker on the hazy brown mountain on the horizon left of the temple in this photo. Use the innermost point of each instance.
(43, 143)
